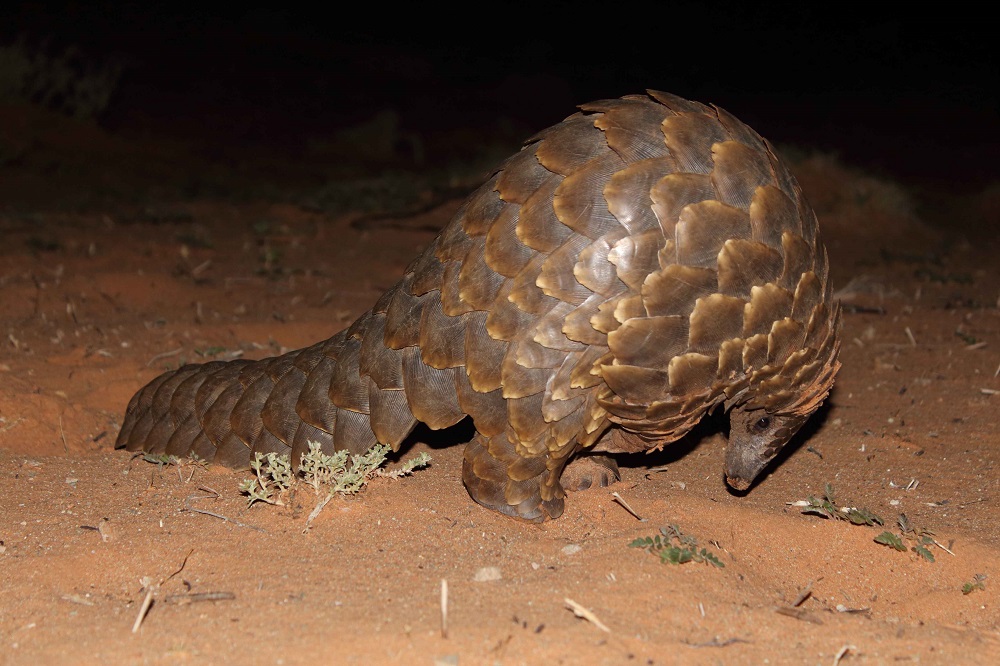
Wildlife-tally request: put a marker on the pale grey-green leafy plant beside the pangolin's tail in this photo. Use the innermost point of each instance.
(337, 474)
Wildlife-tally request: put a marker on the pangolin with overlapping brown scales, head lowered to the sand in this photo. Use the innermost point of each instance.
(631, 268)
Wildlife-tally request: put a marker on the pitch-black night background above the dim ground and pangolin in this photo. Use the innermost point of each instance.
(913, 96)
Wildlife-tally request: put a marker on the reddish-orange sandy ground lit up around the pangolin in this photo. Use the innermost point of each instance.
(94, 304)
